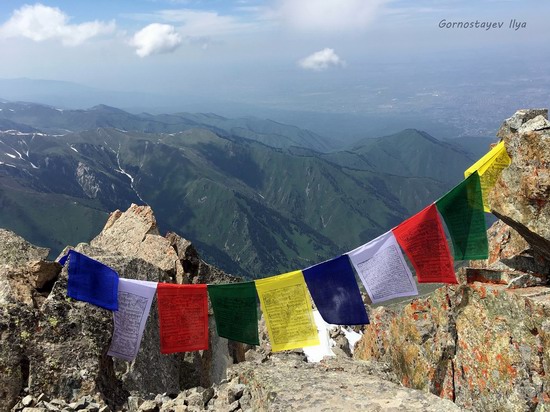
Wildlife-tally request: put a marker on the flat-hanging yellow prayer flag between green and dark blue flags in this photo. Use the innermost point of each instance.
(287, 309)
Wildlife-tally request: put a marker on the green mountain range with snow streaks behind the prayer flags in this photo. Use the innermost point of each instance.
(256, 196)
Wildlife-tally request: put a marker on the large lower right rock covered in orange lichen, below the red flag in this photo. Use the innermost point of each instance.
(487, 347)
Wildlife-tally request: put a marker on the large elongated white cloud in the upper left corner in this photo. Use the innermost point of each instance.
(40, 23)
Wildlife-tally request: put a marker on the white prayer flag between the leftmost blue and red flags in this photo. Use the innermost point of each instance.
(134, 304)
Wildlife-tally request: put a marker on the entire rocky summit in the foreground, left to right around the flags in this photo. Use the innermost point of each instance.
(480, 345)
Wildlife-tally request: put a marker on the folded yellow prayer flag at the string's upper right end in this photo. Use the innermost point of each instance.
(489, 168)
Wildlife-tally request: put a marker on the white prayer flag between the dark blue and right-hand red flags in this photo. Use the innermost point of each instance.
(382, 269)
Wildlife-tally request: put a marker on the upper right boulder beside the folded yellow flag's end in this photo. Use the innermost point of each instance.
(521, 196)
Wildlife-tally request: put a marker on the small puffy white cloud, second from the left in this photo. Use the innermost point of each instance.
(156, 38)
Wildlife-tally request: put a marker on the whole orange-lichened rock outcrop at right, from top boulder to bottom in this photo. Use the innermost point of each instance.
(485, 343)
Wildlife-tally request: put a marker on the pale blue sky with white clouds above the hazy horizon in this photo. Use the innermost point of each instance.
(319, 55)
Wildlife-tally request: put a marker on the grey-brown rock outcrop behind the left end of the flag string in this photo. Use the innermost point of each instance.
(57, 346)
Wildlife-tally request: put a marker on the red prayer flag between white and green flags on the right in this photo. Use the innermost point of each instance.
(423, 240)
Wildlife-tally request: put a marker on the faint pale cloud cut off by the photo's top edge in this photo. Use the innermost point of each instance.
(329, 15)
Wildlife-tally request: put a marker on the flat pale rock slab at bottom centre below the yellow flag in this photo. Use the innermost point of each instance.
(284, 384)
